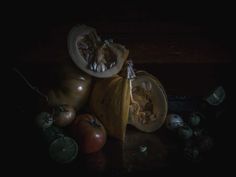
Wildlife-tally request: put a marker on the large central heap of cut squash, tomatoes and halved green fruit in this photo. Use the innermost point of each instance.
(103, 80)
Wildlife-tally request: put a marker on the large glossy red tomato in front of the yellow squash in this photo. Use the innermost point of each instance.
(89, 133)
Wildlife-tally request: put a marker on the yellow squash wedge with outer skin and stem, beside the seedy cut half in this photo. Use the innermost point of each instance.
(110, 100)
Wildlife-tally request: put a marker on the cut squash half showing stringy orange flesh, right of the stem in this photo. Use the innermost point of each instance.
(148, 106)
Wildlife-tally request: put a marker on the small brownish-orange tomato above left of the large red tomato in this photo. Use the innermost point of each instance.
(63, 115)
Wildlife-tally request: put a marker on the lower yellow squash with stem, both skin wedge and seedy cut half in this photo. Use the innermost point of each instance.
(138, 99)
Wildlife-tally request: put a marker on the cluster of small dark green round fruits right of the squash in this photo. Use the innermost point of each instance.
(195, 138)
